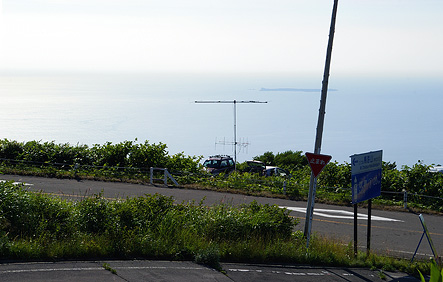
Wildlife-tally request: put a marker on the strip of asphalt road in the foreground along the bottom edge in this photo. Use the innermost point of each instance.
(183, 272)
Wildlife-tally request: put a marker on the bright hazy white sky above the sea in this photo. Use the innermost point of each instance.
(394, 37)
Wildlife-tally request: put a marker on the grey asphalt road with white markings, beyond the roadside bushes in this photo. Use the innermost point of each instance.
(395, 233)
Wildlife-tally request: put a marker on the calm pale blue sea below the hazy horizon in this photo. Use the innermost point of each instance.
(274, 112)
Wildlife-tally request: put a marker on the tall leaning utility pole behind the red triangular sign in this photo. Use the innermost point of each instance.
(321, 118)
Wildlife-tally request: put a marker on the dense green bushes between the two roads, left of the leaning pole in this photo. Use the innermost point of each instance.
(150, 226)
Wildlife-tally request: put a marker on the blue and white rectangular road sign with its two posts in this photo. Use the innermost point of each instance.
(366, 173)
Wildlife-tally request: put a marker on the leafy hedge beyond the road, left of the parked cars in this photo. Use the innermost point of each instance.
(127, 154)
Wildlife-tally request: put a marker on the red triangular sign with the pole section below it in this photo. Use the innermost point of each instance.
(317, 162)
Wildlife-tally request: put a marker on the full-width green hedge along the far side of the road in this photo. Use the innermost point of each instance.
(130, 161)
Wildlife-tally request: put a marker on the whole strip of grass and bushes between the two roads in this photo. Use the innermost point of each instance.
(34, 226)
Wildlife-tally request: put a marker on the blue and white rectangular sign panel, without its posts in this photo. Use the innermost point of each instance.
(366, 176)
